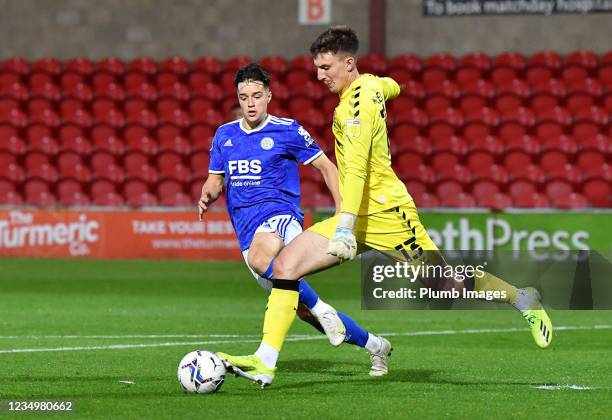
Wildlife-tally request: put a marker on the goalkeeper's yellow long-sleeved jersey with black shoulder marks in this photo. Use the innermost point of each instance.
(368, 184)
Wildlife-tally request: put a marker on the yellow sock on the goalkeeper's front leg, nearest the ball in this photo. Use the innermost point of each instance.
(280, 314)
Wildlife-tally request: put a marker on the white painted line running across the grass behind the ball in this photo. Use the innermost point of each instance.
(294, 338)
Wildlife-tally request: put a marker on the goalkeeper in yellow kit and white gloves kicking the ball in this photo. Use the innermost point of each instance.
(376, 210)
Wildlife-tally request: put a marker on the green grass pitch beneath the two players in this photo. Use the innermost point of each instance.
(103, 322)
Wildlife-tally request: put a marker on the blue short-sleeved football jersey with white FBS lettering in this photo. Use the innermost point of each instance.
(261, 171)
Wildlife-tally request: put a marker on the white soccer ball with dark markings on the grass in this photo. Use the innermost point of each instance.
(201, 372)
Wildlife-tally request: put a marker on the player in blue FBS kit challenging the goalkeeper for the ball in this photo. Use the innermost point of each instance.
(256, 159)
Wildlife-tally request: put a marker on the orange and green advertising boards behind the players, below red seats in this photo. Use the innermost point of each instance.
(167, 234)
